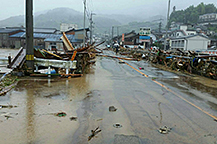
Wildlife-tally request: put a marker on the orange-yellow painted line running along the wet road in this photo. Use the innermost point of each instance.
(214, 117)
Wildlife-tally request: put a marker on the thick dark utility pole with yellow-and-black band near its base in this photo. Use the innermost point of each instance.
(29, 35)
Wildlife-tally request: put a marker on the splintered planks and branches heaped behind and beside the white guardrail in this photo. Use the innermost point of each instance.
(84, 56)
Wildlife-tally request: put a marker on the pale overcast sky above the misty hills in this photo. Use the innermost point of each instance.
(154, 7)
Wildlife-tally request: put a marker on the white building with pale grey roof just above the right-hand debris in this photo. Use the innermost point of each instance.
(191, 42)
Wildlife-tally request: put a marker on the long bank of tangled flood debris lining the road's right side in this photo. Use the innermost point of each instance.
(190, 62)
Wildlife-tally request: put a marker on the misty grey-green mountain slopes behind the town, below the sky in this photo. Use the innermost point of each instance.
(102, 23)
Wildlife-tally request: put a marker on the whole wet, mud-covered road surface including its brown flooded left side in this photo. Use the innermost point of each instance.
(142, 108)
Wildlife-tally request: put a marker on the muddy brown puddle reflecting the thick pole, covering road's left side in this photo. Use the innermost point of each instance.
(35, 101)
